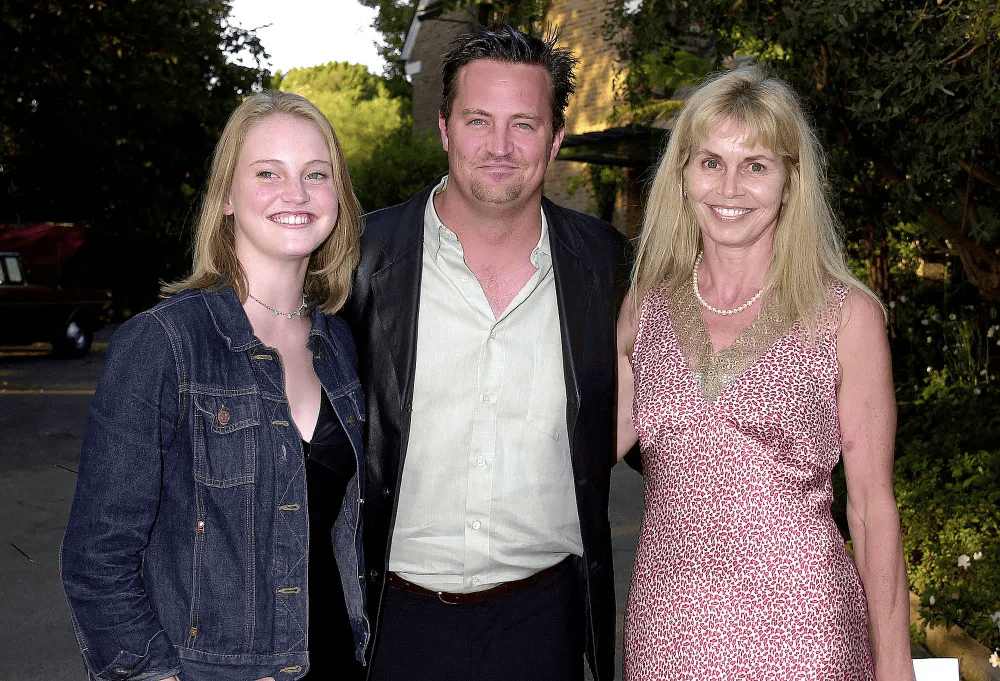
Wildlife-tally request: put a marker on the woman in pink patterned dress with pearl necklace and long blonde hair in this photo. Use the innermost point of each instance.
(751, 360)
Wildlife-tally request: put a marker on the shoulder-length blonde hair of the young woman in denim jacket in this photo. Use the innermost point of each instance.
(328, 280)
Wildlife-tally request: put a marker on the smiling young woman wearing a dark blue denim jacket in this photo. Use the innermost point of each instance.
(191, 548)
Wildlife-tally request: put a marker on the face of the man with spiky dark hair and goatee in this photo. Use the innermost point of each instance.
(499, 136)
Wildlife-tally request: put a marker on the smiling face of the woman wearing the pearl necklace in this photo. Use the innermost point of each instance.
(735, 190)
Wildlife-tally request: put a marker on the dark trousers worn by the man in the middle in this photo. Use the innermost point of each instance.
(530, 634)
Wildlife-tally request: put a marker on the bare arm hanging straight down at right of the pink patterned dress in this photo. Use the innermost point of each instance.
(868, 425)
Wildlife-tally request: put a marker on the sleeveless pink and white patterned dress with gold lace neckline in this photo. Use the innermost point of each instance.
(740, 571)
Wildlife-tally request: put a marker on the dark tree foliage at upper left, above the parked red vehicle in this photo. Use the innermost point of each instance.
(109, 112)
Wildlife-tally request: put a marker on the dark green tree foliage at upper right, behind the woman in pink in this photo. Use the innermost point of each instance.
(906, 95)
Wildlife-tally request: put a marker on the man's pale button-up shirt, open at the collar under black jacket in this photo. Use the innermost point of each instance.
(487, 492)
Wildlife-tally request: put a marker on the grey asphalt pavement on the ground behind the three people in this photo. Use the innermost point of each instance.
(43, 410)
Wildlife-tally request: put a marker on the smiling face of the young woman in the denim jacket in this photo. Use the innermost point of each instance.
(283, 196)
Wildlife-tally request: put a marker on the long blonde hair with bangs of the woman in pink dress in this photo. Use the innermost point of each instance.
(807, 252)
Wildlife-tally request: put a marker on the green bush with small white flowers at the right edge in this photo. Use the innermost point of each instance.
(946, 476)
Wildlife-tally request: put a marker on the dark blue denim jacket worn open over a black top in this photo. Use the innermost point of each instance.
(187, 546)
